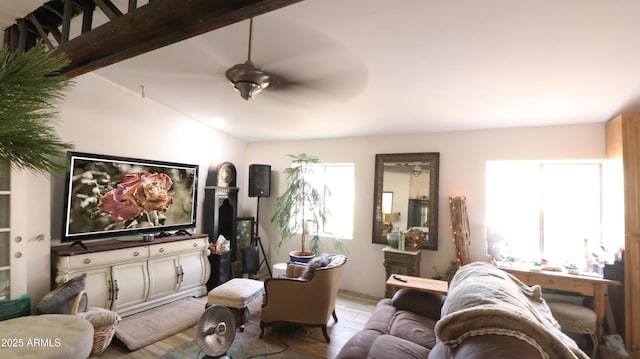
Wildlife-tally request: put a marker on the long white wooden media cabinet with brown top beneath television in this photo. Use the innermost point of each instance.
(131, 277)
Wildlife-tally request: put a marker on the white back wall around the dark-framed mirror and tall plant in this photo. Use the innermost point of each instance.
(462, 172)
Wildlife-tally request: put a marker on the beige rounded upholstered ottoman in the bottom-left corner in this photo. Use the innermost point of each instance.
(46, 336)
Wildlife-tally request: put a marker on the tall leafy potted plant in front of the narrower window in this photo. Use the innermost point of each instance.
(300, 209)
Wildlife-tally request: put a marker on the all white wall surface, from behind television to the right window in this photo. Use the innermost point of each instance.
(101, 117)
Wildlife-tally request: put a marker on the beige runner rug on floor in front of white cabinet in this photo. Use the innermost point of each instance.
(150, 326)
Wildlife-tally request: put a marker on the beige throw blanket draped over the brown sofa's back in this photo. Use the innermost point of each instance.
(484, 300)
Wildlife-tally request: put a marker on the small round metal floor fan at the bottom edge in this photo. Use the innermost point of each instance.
(216, 331)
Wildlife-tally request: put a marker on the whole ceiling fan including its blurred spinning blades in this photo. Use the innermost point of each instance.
(337, 73)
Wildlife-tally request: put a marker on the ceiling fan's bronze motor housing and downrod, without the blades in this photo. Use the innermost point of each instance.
(248, 78)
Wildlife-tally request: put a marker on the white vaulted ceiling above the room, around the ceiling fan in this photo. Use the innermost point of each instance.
(367, 67)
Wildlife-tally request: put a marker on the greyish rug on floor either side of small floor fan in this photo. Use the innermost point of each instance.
(246, 345)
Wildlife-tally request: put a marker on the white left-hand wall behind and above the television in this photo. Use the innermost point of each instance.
(98, 116)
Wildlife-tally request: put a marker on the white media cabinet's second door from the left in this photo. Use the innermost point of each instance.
(130, 284)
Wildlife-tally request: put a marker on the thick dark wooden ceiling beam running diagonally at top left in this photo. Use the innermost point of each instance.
(154, 25)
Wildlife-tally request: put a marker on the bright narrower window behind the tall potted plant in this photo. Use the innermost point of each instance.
(337, 180)
